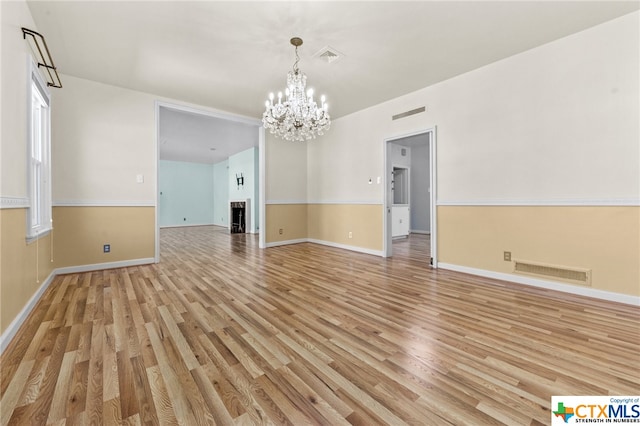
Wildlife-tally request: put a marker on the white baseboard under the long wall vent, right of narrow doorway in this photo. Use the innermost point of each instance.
(549, 285)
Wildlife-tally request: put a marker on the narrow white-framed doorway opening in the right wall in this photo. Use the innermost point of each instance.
(410, 191)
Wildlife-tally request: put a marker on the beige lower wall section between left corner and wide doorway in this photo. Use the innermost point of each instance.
(80, 233)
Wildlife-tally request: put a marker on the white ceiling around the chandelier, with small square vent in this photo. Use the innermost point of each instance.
(230, 55)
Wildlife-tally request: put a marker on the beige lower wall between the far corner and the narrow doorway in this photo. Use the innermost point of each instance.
(333, 222)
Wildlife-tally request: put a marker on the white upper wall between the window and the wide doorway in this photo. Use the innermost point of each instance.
(103, 137)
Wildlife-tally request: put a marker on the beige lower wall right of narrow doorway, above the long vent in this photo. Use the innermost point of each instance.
(603, 239)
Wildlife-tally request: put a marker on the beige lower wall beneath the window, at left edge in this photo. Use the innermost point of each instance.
(23, 268)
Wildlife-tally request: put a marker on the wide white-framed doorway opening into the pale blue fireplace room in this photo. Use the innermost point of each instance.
(192, 146)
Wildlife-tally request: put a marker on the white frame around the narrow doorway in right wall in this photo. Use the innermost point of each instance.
(387, 204)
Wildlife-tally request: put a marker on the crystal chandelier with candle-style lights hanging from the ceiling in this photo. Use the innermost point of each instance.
(297, 117)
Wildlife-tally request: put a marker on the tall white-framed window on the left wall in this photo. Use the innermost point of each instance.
(39, 156)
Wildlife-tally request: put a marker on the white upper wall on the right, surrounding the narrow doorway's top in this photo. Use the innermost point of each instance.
(558, 122)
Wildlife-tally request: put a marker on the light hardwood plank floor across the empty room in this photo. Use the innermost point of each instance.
(223, 332)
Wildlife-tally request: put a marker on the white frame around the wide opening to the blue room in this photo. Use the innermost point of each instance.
(215, 114)
